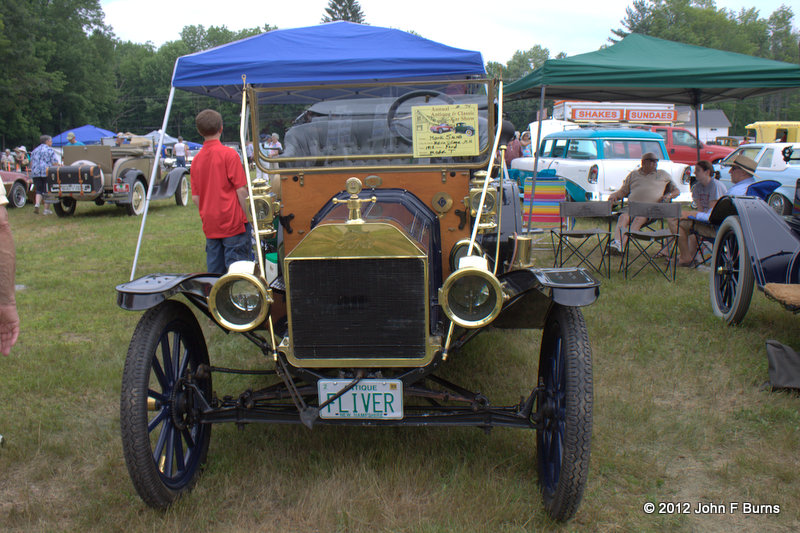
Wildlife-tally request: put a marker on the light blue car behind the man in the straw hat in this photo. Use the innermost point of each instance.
(769, 166)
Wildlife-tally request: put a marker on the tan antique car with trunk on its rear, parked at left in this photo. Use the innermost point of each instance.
(113, 174)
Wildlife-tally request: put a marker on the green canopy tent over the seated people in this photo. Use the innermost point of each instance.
(642, 68)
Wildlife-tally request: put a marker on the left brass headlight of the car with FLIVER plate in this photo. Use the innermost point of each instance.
(240, 300)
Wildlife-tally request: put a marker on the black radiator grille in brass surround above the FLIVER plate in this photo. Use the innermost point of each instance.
(358, 308)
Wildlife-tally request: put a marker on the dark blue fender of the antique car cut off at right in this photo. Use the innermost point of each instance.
(771, 243)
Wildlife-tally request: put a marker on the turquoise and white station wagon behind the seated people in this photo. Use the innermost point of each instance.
(595, 161)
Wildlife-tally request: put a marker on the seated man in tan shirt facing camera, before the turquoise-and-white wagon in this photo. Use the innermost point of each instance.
(644, 184)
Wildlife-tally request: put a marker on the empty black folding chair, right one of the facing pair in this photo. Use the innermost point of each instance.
(646, 240)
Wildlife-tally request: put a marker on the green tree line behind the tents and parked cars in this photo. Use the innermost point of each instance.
(62, 67)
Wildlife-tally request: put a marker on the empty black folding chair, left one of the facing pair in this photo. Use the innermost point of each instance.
(584, 243)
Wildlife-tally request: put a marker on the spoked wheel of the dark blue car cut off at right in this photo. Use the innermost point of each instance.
(732, 280)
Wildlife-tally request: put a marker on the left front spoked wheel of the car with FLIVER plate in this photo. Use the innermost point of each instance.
(165, 448)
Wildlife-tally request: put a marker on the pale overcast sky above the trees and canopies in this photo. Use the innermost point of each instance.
(497, 32)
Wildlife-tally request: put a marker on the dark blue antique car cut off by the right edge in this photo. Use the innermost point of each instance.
(754, 246)
